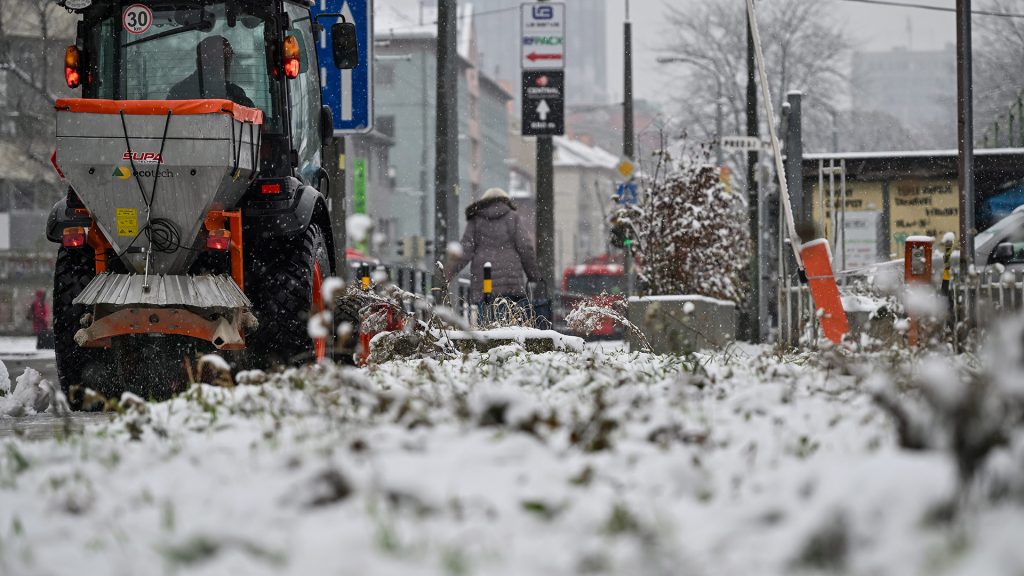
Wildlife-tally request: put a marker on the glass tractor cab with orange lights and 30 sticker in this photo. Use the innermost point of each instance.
(257, 54)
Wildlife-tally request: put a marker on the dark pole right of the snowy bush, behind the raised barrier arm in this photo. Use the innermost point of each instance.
(752, 190)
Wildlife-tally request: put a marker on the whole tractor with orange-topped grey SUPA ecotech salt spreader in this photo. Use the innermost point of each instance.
(197, 217)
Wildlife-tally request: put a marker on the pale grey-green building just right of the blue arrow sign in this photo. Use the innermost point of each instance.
(406, 112)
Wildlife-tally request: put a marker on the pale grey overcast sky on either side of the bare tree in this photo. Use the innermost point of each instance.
(873, 27)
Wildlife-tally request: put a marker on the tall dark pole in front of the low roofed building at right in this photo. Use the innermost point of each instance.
(965, 125)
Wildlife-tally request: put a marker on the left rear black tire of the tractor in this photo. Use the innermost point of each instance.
(77, 367)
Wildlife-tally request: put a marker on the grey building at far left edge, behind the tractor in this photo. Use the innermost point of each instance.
(33, 37)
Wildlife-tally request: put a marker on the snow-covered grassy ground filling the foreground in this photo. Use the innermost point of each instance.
(601, 462)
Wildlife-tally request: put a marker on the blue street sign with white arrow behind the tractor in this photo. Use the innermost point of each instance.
(349, 93)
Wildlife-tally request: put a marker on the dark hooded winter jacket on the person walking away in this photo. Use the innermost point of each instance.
(496, 234)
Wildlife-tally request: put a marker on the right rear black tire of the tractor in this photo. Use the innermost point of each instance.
(280, 283)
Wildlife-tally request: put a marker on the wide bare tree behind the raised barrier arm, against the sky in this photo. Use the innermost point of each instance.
(806, 49)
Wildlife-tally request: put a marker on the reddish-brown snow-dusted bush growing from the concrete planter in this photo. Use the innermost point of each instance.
(690, 231)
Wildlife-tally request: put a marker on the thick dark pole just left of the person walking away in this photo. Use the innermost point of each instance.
(447, 140)
